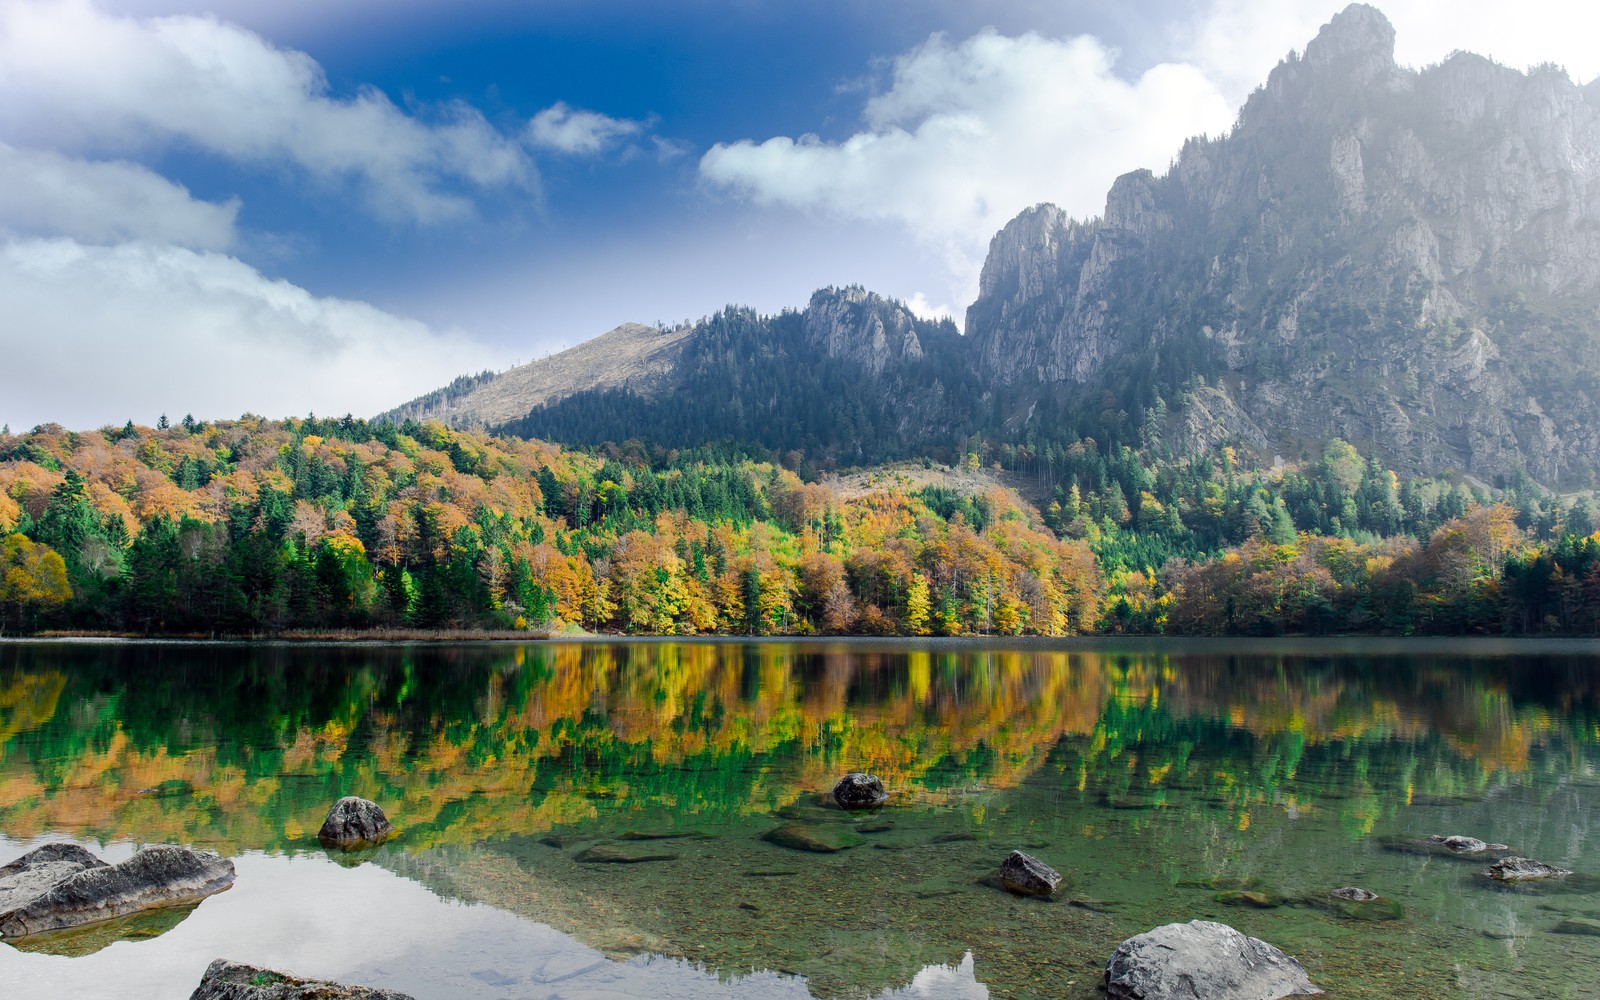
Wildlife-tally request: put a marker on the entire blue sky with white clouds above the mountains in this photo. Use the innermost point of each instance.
(289, 207)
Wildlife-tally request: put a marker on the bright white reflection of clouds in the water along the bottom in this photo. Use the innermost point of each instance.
(369, 926)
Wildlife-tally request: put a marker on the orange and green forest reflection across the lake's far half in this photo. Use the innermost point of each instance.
(246, 746)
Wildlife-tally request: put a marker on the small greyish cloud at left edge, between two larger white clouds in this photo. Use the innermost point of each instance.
(50, 194)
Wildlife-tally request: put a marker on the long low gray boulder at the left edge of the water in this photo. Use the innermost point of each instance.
(57, 889)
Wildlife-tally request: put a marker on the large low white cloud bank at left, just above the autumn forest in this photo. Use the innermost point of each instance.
(105, 334)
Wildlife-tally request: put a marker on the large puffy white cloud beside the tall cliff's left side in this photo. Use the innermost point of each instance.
(972, 134)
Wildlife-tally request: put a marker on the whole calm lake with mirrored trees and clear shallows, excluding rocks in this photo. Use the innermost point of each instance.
(591, 818)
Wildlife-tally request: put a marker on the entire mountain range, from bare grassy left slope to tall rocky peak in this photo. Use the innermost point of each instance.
(1402, 258)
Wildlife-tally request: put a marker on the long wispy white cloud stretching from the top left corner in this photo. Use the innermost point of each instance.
(79, 79)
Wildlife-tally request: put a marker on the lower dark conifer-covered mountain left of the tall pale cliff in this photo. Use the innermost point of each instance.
(854, 377)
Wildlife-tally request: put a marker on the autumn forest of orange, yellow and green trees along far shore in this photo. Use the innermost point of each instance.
(260, 527)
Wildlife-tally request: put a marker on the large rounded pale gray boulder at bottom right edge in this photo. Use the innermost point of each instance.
(1202, 961)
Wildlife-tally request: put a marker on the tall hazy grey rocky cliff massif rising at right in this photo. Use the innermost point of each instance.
(1404, 258)
